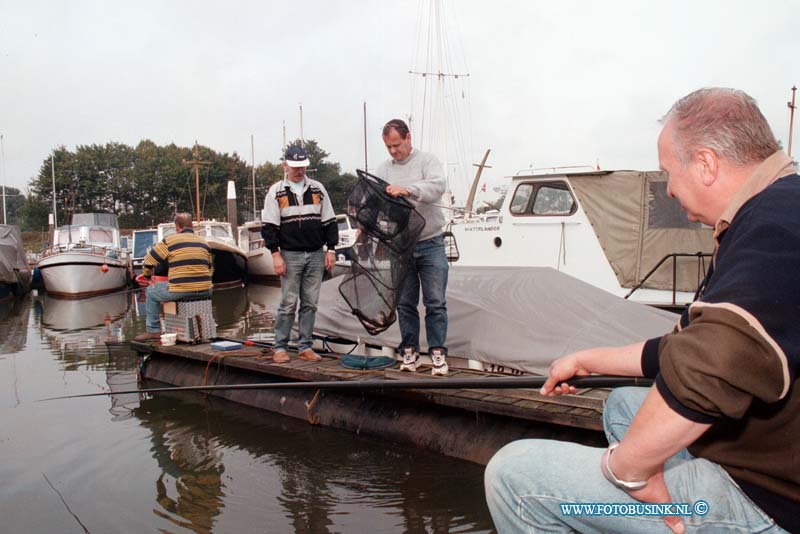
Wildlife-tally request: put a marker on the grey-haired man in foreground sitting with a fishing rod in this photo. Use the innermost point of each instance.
(715, 440)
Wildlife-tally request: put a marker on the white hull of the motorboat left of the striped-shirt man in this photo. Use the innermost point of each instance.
(75, 274)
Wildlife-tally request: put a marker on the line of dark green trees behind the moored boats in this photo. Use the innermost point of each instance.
(147, 184)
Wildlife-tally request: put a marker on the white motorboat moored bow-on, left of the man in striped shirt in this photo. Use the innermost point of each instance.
(85, 258)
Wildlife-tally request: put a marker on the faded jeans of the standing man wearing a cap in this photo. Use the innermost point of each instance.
(302, 281)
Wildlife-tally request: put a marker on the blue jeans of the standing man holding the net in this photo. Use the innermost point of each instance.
(429, 269)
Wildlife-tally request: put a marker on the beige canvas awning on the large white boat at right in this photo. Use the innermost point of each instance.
(638, 224)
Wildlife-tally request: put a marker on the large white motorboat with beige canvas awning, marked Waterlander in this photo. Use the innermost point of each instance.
(616, 230)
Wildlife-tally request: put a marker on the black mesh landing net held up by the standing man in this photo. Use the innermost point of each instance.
(383, 253)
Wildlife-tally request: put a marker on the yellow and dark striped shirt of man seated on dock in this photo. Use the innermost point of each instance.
(188, 258)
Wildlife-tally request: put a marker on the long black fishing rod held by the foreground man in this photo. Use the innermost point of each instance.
(598, 381)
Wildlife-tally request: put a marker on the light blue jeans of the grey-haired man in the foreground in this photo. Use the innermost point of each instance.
(528, 480)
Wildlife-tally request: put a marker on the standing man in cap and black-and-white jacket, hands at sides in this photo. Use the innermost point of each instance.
(298, 221)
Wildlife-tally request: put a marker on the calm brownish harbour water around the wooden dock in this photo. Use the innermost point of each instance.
(184, 462)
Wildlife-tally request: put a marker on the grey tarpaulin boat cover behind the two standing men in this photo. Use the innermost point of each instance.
(518, 317)
